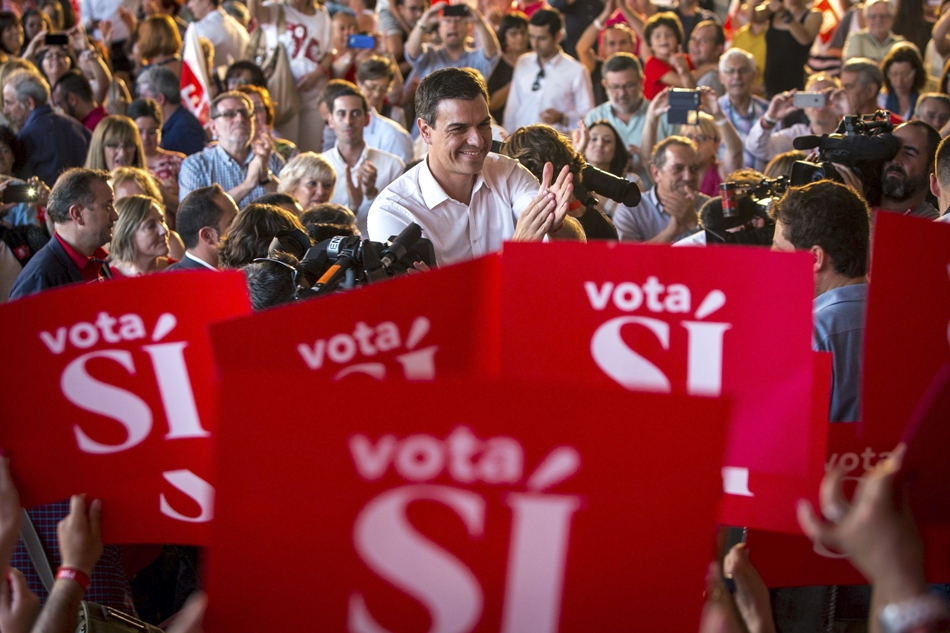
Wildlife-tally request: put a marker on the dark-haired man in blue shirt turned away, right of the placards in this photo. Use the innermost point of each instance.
(831, 221)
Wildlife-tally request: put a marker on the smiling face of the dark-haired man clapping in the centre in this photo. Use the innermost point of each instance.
(460, 139)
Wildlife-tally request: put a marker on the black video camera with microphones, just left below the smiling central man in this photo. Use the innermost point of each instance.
(344, 262)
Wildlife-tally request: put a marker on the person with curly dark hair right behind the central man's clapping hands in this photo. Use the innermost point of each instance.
(533, 146)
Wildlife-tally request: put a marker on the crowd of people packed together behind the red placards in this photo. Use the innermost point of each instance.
(482, 123)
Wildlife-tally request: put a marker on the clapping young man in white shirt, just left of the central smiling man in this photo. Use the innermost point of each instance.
(361, 171)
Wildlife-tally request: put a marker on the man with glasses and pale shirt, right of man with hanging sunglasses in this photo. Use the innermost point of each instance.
(626, 109)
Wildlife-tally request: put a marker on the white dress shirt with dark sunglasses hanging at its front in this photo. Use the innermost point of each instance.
(565, 86)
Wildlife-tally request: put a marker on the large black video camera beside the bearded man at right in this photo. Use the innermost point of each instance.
(861, 143)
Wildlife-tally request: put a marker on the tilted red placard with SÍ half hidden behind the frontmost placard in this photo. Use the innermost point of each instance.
(417, 327)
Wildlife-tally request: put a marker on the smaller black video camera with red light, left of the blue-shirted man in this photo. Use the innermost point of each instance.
(739, 215)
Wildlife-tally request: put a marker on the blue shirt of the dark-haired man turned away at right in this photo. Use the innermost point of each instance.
(839, 329)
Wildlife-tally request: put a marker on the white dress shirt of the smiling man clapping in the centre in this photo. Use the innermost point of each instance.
(458, 231)
